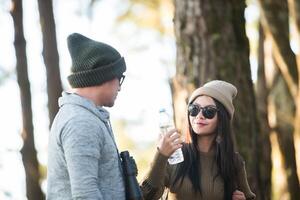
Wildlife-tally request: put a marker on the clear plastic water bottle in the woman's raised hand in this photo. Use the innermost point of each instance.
(165, 124)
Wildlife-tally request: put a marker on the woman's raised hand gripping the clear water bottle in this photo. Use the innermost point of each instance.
(169, 142)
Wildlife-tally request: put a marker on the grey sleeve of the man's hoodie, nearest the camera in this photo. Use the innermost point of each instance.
(82, 145)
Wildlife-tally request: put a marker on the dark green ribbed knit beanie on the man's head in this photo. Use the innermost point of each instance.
(93, 63)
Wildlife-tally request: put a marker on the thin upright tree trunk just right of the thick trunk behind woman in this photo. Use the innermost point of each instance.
(262, 94)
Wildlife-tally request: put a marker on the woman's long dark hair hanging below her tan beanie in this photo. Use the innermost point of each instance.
(224, 157)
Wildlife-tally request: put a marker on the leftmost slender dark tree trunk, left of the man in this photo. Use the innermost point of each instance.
(28, 151)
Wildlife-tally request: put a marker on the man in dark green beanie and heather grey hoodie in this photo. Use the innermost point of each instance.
(83, 160)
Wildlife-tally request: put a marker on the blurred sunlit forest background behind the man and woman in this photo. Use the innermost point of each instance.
(171, 48)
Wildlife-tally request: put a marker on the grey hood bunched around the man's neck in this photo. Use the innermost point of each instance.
(75, 99)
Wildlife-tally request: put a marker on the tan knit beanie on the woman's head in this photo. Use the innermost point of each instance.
(222, 91)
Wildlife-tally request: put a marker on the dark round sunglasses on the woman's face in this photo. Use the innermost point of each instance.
(208, 112)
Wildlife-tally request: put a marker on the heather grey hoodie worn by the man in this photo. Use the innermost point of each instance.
(83, 160)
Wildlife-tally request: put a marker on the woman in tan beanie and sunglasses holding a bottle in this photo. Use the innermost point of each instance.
(211, 169)
